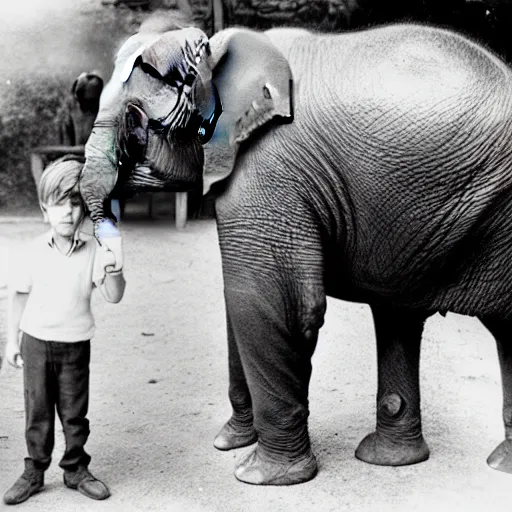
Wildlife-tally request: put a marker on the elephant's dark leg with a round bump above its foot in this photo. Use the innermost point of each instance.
(398, 438)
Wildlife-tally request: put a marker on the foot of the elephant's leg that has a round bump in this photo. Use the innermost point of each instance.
(378, 449)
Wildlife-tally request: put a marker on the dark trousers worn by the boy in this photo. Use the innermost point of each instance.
(56, 378)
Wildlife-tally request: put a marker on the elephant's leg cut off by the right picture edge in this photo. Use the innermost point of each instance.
(501, 457)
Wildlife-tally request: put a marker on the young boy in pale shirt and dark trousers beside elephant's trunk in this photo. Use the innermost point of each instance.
(49, 304)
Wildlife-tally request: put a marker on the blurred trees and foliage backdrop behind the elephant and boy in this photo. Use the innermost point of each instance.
(45, 45)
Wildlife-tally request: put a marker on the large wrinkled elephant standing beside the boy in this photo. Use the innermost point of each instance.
(371, 166)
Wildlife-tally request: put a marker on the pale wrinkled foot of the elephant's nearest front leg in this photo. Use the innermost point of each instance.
(257, 469)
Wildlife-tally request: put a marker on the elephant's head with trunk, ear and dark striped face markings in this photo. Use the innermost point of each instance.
(163, 102)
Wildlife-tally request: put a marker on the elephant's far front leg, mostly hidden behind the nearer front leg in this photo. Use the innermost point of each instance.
(239, 430)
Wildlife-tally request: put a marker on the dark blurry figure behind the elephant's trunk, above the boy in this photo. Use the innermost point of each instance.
(78, 112)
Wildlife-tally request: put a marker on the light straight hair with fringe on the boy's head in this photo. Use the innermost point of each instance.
(60, 180)
